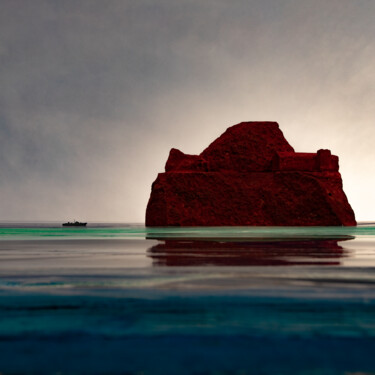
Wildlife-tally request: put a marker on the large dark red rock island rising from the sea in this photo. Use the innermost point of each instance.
(250, 175)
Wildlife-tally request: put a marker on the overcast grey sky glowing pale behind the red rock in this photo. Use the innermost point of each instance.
(95, 93)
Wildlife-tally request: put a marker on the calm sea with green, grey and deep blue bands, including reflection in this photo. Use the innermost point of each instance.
(125, 299)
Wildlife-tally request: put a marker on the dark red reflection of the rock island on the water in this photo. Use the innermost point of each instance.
(257, 253)
